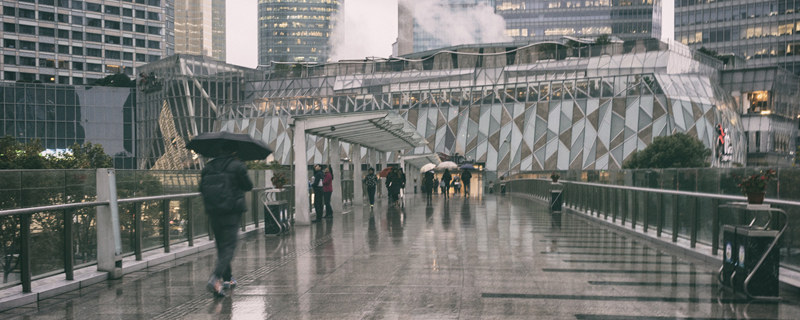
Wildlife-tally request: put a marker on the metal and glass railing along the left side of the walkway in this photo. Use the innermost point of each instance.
(145, 223)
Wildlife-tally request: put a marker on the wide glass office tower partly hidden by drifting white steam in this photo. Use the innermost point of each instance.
(543, 20)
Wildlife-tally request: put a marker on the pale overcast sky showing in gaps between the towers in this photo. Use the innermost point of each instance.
(370, 30)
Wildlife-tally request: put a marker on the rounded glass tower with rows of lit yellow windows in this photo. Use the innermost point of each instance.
(295, 30)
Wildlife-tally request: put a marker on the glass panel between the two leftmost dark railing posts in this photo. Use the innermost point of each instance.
(47, 243)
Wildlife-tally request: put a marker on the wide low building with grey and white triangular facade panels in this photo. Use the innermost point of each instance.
(532, 107)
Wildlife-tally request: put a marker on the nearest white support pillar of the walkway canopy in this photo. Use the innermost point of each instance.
(301, 210)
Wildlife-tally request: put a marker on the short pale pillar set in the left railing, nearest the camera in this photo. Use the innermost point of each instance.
(109, 242)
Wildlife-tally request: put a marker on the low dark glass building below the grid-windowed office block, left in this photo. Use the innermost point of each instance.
(62, 115)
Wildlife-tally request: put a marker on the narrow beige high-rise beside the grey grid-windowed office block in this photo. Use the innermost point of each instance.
(200, 28)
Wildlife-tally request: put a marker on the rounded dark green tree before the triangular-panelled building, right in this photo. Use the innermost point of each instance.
(676, 151)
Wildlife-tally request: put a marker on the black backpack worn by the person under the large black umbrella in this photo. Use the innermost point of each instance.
(218, 189)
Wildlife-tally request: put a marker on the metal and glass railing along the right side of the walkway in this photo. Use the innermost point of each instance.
(691, 216)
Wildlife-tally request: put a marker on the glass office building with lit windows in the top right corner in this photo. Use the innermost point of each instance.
(764, 32)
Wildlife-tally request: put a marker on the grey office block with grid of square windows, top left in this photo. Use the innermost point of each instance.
(78, 42)
